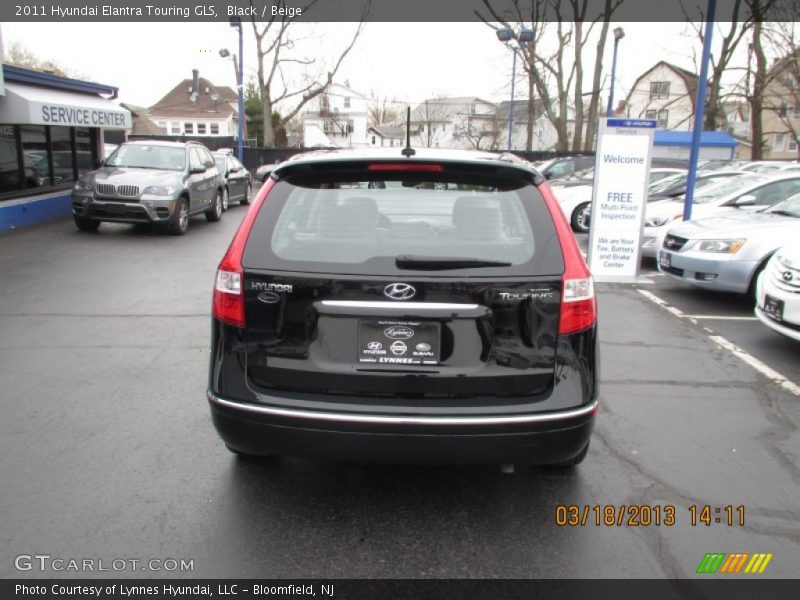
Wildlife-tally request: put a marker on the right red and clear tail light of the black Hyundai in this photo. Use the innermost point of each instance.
(578, 305)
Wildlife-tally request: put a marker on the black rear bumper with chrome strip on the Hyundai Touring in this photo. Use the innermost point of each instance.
(541, 438)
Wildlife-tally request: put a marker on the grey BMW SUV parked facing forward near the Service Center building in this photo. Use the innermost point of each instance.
(150, 182)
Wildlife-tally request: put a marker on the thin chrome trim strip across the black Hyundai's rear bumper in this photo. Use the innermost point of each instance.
(392, 420)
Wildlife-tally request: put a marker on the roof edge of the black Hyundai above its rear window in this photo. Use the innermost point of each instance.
(421, 155)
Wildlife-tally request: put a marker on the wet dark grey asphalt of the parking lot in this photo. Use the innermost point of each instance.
(107, 450)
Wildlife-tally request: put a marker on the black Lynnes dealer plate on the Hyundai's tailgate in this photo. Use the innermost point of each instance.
(389, 342)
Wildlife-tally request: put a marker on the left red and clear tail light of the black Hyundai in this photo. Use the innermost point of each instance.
(228, 304)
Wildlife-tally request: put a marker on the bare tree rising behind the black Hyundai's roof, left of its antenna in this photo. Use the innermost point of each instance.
(273, 42)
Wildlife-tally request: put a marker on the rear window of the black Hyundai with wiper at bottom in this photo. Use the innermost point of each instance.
(364, 226)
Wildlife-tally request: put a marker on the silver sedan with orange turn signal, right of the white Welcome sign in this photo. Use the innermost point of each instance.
(727, 253)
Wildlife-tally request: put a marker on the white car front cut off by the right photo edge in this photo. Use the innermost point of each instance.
(778, 292)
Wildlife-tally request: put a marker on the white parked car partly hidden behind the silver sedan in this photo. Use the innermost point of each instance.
(746, 193)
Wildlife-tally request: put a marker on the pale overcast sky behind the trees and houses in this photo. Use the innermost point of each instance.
(409, 61)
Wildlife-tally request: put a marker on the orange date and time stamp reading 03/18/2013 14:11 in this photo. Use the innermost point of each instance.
(646, 515)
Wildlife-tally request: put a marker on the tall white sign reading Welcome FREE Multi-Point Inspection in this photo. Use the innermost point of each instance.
(619, 195)
